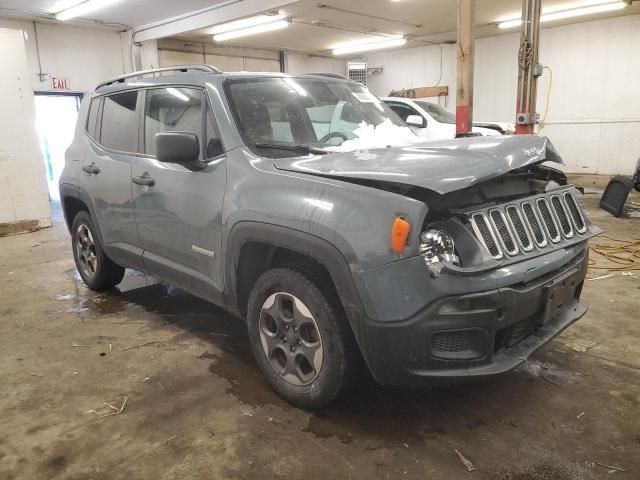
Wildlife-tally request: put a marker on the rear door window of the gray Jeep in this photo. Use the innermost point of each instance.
(120, 122)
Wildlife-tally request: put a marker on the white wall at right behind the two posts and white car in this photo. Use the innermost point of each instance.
(594, 112)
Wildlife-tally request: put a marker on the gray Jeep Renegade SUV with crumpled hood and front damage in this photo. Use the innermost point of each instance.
(303, 205)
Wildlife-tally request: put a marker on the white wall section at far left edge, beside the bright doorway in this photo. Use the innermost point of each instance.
(23, 189)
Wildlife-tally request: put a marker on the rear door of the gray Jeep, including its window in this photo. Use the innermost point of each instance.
(105, 177)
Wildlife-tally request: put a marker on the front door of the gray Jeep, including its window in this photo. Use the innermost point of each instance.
(178, 209)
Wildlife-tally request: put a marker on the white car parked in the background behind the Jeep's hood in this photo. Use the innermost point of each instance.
(432, 122)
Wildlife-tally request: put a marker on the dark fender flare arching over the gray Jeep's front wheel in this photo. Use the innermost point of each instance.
(300, 242)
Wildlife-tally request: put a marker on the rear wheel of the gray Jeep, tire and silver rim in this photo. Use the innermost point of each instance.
(97, 270)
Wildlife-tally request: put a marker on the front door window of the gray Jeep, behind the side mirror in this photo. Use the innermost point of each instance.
(172, 109)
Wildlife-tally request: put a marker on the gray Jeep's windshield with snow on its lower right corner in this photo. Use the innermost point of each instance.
(277, 113)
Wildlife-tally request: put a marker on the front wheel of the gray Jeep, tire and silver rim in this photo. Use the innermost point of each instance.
(281, 301)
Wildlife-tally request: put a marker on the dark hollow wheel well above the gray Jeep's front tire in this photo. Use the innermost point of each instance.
(257, 257)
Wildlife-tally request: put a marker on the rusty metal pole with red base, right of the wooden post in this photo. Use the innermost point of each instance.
(528, 68)
